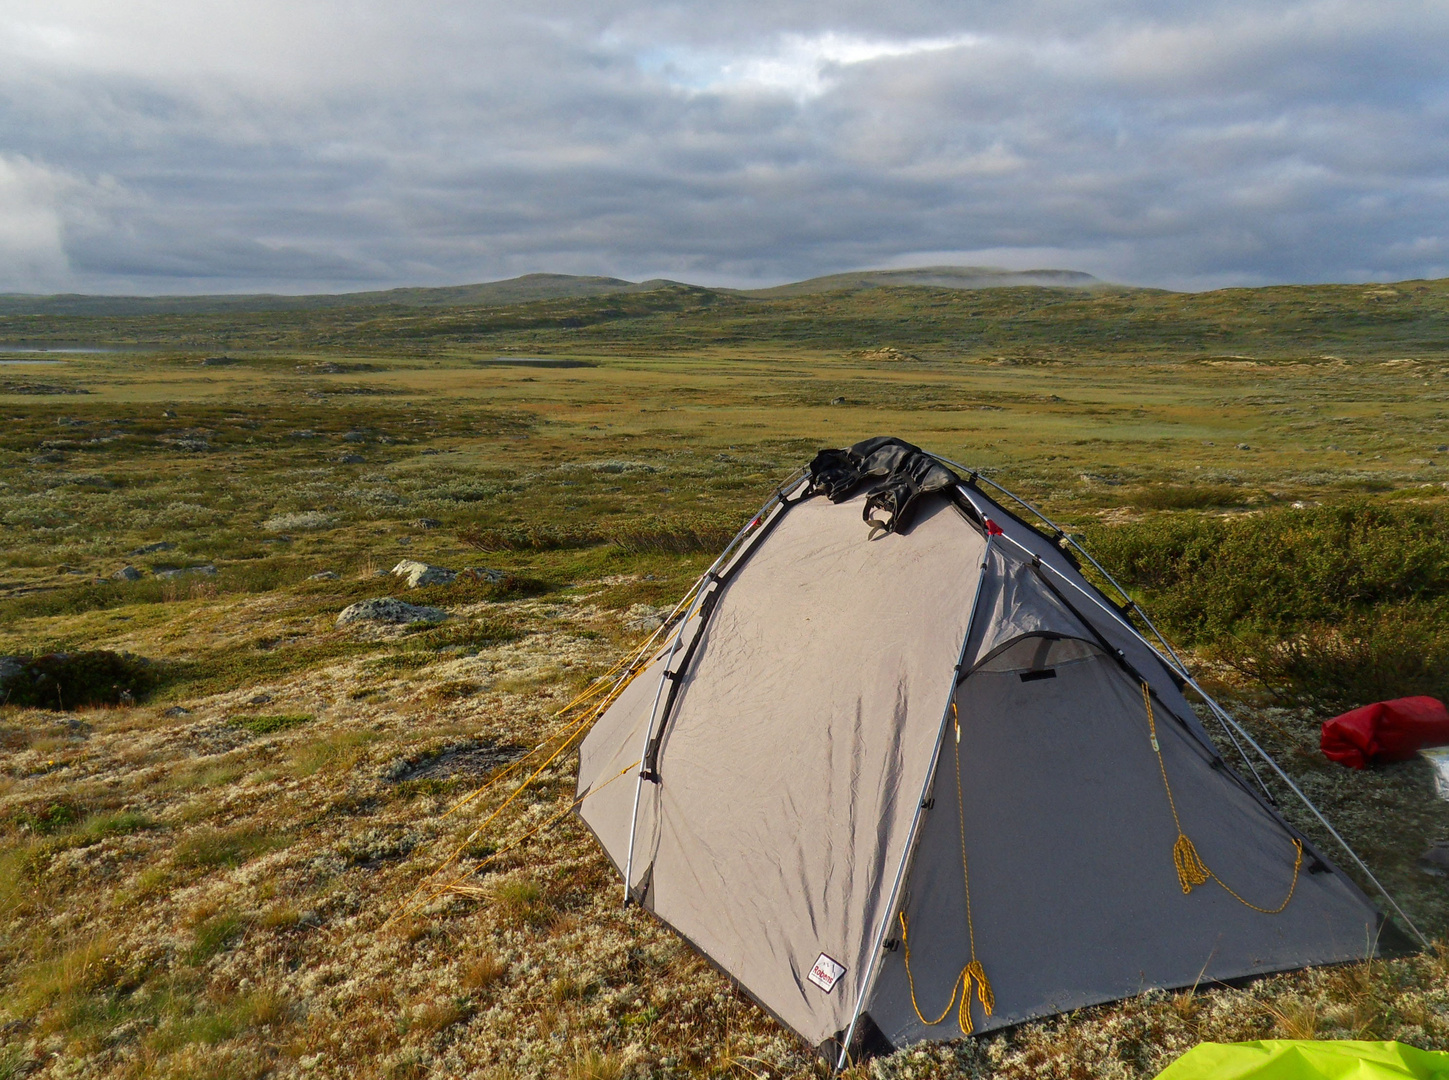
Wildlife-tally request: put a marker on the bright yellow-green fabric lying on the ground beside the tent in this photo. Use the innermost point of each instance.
(1308, 1060)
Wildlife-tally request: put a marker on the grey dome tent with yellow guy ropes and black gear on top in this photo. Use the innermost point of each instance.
(905, 775)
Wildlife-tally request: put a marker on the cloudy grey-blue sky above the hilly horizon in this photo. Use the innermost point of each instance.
(334, 146)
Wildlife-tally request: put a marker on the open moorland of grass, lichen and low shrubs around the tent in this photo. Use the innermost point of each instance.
(211, 842)
